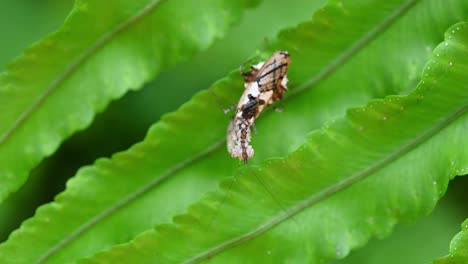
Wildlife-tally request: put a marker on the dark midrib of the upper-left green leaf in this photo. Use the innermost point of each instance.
(74, 66)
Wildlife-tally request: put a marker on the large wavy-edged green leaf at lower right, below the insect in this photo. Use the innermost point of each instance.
(354, 178)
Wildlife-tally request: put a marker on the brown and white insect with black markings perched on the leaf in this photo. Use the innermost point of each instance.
(264, 84)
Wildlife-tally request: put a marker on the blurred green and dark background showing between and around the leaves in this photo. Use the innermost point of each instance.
(23, 22)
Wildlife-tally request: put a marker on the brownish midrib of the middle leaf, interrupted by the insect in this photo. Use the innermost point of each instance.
(320, 76)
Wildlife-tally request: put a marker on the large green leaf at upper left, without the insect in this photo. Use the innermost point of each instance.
(104, 49)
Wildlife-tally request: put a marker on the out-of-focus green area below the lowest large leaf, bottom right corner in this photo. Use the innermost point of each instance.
(400, 247)
